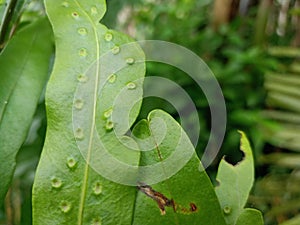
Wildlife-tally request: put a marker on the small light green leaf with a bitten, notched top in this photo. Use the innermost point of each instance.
(235, 183)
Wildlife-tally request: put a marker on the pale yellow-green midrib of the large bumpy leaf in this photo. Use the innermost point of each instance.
(86, 169)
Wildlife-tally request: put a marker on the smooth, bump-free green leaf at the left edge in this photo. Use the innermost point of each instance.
(24, 67)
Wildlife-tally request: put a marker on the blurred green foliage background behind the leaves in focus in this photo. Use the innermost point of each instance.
(252, 47)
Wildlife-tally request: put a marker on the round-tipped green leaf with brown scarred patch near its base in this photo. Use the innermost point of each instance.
(189, 184)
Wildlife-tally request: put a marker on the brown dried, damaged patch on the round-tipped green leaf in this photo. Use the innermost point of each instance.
(163, 201)
